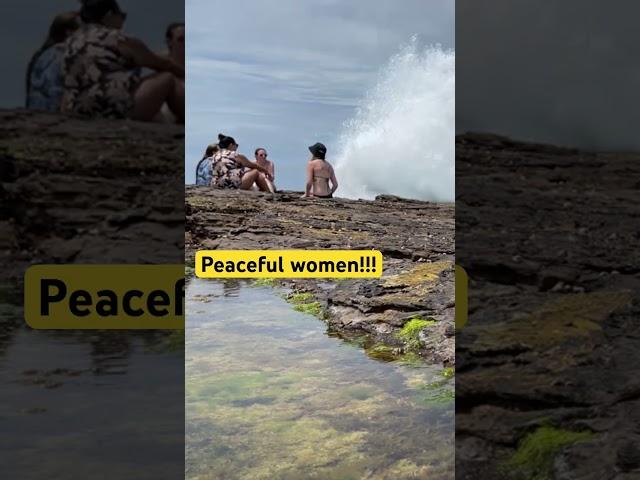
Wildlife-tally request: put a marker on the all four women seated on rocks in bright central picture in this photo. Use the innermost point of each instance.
(222, 166)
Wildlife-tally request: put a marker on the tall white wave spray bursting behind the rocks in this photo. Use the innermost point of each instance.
(401, 140)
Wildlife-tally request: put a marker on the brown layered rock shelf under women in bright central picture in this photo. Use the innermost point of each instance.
(416, 239)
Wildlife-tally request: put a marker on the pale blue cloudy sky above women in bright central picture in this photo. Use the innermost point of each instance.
(285, 74)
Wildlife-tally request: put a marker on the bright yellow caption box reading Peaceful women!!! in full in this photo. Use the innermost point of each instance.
(288, 264)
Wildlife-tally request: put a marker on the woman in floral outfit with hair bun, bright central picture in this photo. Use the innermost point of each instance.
(233, 170)
